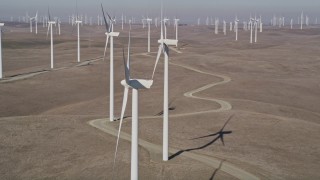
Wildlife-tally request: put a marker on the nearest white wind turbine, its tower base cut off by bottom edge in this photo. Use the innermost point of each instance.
(135, 85)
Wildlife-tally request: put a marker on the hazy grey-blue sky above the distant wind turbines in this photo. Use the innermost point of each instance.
(185, 9)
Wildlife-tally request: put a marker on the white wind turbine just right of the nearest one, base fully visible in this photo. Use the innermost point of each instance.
(163, 47)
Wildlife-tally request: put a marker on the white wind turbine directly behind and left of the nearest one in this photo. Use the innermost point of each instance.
(110, 34)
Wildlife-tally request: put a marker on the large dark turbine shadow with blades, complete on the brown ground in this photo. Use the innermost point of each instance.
(219, 135)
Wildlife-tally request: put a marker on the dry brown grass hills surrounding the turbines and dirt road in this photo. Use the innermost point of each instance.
(273, 130)
